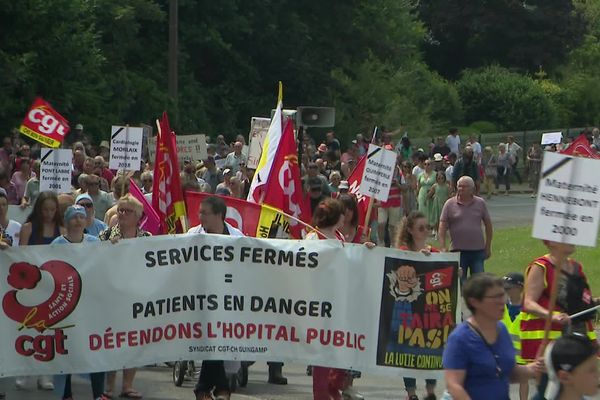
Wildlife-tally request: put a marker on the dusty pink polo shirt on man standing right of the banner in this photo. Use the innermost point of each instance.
(464, 223)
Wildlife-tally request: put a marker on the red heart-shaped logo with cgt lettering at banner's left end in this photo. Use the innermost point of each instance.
(25, 304)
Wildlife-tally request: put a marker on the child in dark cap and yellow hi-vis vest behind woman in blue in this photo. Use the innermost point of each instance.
(513, 285)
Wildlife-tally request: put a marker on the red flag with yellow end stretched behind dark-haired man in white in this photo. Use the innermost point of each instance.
(252, 219)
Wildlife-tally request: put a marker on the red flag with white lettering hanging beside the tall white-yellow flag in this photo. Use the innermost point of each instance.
(284, 185)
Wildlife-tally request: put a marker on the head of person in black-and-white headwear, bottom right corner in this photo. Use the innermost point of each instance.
(572, 365)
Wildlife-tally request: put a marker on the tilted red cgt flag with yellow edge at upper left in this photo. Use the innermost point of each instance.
(43, 124)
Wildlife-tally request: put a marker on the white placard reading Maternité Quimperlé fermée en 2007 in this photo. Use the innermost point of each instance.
(379, 172)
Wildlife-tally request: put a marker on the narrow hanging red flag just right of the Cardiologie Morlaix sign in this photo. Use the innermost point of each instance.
(167, 196)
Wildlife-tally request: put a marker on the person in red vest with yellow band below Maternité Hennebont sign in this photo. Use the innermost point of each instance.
(574, 295)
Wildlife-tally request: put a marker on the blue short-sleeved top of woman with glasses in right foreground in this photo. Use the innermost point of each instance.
(467, 351)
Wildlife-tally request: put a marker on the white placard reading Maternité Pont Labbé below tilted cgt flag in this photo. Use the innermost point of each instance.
(55, 170)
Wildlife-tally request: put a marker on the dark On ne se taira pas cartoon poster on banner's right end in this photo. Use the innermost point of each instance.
(418, 312)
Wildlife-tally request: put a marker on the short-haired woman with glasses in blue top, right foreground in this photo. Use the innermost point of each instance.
(479, 358)
